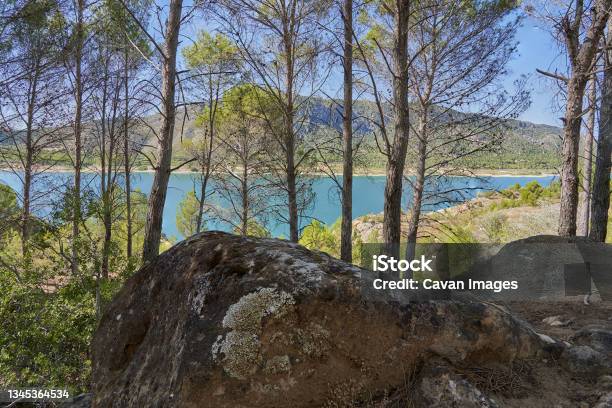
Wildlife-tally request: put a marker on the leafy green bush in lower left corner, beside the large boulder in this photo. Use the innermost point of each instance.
(45, 336)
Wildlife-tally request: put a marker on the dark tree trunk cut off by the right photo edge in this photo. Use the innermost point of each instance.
(600, 199)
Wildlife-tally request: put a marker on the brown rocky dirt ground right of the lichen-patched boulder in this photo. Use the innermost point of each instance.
(579, 378)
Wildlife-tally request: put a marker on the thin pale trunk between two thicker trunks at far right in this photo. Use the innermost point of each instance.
(585, 205)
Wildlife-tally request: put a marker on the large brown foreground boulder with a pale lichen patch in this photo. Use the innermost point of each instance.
(225, 321)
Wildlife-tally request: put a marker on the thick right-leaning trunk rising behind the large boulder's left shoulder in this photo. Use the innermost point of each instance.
(157, 198)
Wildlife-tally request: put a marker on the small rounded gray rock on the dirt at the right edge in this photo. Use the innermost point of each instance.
(586, 362)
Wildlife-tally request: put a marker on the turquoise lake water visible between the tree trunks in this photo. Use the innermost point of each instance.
(367, 194)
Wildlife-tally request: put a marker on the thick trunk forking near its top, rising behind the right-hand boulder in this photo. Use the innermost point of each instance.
(581, 64)
